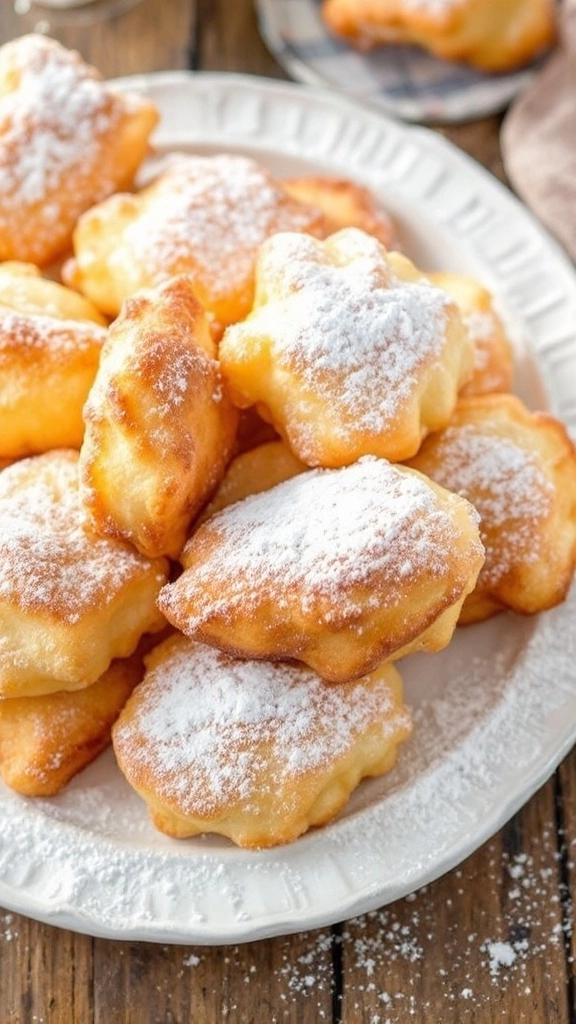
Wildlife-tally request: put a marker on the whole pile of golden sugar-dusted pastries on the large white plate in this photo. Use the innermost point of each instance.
(252, 457)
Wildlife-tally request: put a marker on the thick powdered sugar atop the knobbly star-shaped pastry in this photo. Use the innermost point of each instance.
(348, 327)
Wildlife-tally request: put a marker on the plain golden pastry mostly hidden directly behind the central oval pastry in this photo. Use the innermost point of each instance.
(252, 473)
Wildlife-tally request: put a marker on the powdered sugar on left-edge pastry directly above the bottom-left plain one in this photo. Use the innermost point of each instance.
(48, 563)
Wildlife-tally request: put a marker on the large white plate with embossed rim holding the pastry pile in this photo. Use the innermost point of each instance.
(496, 713)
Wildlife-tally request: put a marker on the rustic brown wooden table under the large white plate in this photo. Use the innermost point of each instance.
(433, 958)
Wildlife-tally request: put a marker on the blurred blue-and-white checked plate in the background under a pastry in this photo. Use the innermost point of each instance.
(404, 81)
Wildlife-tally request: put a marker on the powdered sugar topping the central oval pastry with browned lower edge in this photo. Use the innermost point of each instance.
(344, 529)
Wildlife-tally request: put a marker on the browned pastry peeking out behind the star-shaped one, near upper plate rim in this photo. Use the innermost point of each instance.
(345, 204)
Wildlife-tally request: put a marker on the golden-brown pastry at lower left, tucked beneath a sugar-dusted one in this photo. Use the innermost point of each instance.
(48, 740)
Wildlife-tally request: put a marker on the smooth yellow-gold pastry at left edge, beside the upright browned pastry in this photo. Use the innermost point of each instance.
(51, 344)
